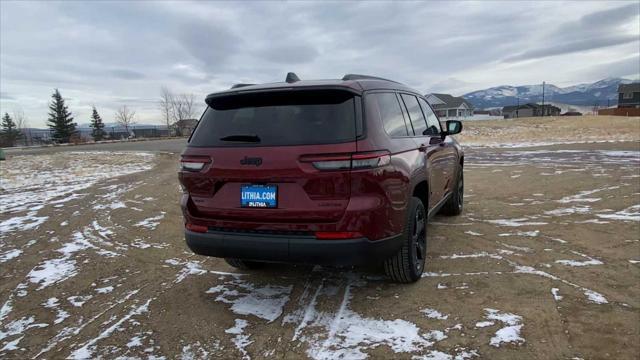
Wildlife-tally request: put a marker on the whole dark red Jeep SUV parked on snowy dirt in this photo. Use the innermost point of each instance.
(333, 172)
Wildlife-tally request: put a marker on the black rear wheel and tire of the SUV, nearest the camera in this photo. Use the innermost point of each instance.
(407, 265)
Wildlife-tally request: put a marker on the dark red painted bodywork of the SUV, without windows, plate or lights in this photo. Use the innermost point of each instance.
(370, 202)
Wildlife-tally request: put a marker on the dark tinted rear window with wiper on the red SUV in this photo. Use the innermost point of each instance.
(278, 118)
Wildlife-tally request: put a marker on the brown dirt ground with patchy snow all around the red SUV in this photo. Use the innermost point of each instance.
(543, 263)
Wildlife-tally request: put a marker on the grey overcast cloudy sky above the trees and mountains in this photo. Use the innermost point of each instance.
(108, 53)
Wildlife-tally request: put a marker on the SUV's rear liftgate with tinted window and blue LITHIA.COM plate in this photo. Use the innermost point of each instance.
(259, 143)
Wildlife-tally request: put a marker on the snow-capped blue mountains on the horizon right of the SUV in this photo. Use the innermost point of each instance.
(599, 93)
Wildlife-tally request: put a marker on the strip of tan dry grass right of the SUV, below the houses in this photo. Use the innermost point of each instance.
(551, 130)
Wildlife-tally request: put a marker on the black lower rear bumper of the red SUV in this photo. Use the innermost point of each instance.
(292, 249)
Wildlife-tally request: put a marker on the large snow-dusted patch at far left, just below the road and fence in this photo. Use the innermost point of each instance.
(30, 183)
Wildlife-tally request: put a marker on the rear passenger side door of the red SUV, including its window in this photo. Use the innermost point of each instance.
(433, 154)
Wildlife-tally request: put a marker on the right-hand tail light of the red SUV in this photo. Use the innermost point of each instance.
(355, 161)
